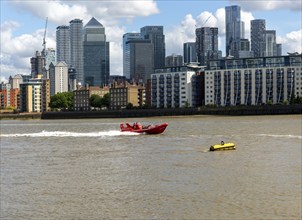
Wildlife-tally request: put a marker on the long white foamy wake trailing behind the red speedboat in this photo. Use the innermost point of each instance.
(71, 134)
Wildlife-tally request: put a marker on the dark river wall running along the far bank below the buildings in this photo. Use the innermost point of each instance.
(133, 113)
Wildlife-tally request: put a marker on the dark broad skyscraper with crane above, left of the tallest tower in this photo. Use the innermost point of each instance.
(206, 44)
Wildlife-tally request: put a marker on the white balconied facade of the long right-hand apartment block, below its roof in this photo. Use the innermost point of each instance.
(252, 86)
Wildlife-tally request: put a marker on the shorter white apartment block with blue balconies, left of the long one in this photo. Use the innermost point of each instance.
(172, 87)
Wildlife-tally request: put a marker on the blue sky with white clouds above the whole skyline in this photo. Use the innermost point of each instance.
(23, 24)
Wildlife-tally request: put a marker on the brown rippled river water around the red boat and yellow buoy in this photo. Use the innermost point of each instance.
(88, 169)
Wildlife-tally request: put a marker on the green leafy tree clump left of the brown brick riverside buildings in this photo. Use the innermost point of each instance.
(62, 100)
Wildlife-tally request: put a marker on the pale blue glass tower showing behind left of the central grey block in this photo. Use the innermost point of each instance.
(126, 52)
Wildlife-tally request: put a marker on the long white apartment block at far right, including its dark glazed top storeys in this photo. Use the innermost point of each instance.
(253, 81)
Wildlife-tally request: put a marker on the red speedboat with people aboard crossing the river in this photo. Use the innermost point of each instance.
(138, 128)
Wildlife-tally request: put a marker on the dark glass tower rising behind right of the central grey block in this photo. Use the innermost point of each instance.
(157, 37)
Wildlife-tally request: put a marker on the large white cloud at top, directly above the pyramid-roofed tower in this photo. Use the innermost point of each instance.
(61, 12)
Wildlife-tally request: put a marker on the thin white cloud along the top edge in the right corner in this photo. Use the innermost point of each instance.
(269, 5)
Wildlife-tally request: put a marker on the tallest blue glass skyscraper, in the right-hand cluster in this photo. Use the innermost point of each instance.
(233, 30)
